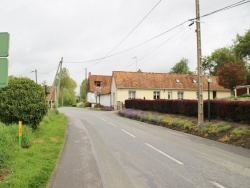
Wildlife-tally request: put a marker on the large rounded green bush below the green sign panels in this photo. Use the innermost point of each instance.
(23, 100)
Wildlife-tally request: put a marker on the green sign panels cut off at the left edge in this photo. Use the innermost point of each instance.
(4, 52)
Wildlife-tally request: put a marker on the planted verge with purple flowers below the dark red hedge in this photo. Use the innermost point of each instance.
(226, 132)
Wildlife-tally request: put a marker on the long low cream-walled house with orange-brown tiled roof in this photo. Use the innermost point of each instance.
(146, 85)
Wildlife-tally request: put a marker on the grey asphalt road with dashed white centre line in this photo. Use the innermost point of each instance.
(105, 150)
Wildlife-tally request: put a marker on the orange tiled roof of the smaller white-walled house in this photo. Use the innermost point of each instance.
(105, 83)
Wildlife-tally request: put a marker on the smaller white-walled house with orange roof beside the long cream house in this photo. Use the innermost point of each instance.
(99, 90)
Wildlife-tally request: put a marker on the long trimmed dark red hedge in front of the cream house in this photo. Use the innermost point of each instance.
(237, 111)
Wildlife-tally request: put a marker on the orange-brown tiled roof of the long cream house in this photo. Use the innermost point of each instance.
(162, 81)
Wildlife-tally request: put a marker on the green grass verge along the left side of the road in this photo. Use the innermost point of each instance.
(33, 164)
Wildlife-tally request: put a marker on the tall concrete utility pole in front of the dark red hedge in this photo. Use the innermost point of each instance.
(199, 66)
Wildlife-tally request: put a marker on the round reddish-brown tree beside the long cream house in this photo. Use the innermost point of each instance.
(231, 75)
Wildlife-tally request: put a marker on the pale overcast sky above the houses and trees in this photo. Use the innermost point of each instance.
(81, 31)
